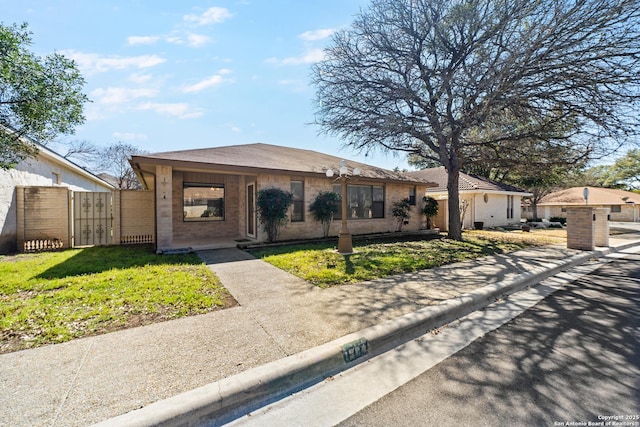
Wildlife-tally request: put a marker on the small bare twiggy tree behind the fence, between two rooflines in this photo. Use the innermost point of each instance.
(114, 160)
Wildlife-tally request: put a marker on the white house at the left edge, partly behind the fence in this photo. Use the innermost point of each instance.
(47, 169)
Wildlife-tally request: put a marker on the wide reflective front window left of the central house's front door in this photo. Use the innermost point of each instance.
(203, 202)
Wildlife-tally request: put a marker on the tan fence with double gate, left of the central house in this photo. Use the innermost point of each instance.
(55, 217)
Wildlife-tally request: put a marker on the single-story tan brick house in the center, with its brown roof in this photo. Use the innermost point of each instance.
(208, 194)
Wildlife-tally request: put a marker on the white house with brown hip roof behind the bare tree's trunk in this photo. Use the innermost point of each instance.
(481, 200)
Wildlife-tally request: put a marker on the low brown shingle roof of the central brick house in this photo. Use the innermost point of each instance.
(270, 157)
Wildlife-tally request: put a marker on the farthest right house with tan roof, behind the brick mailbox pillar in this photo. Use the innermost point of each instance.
(624, 205)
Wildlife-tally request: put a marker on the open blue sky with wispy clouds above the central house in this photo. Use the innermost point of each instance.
(174, 75)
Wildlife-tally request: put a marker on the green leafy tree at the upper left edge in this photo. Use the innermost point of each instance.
(40, 97)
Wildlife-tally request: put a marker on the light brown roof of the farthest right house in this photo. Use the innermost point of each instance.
(597, 196)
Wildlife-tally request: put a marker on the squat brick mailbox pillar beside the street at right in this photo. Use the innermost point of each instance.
(587, 227)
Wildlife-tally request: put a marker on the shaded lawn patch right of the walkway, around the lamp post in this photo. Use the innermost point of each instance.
(321, 265)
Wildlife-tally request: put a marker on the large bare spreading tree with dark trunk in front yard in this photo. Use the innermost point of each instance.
(427, 76)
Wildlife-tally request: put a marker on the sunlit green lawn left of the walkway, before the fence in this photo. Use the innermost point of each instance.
(57, 296)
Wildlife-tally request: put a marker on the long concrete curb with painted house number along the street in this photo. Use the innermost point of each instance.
(222, 401)
